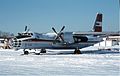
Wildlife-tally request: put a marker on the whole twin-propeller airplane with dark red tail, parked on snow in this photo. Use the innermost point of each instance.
(58, 40)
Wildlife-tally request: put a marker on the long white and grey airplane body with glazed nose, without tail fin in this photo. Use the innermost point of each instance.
(47, 41)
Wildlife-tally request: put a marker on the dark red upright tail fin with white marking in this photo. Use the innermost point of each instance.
(98, 23)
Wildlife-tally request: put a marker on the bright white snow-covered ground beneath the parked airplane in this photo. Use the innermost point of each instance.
(13, 63)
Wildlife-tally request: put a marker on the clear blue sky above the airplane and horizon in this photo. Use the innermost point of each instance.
(41, 15)
